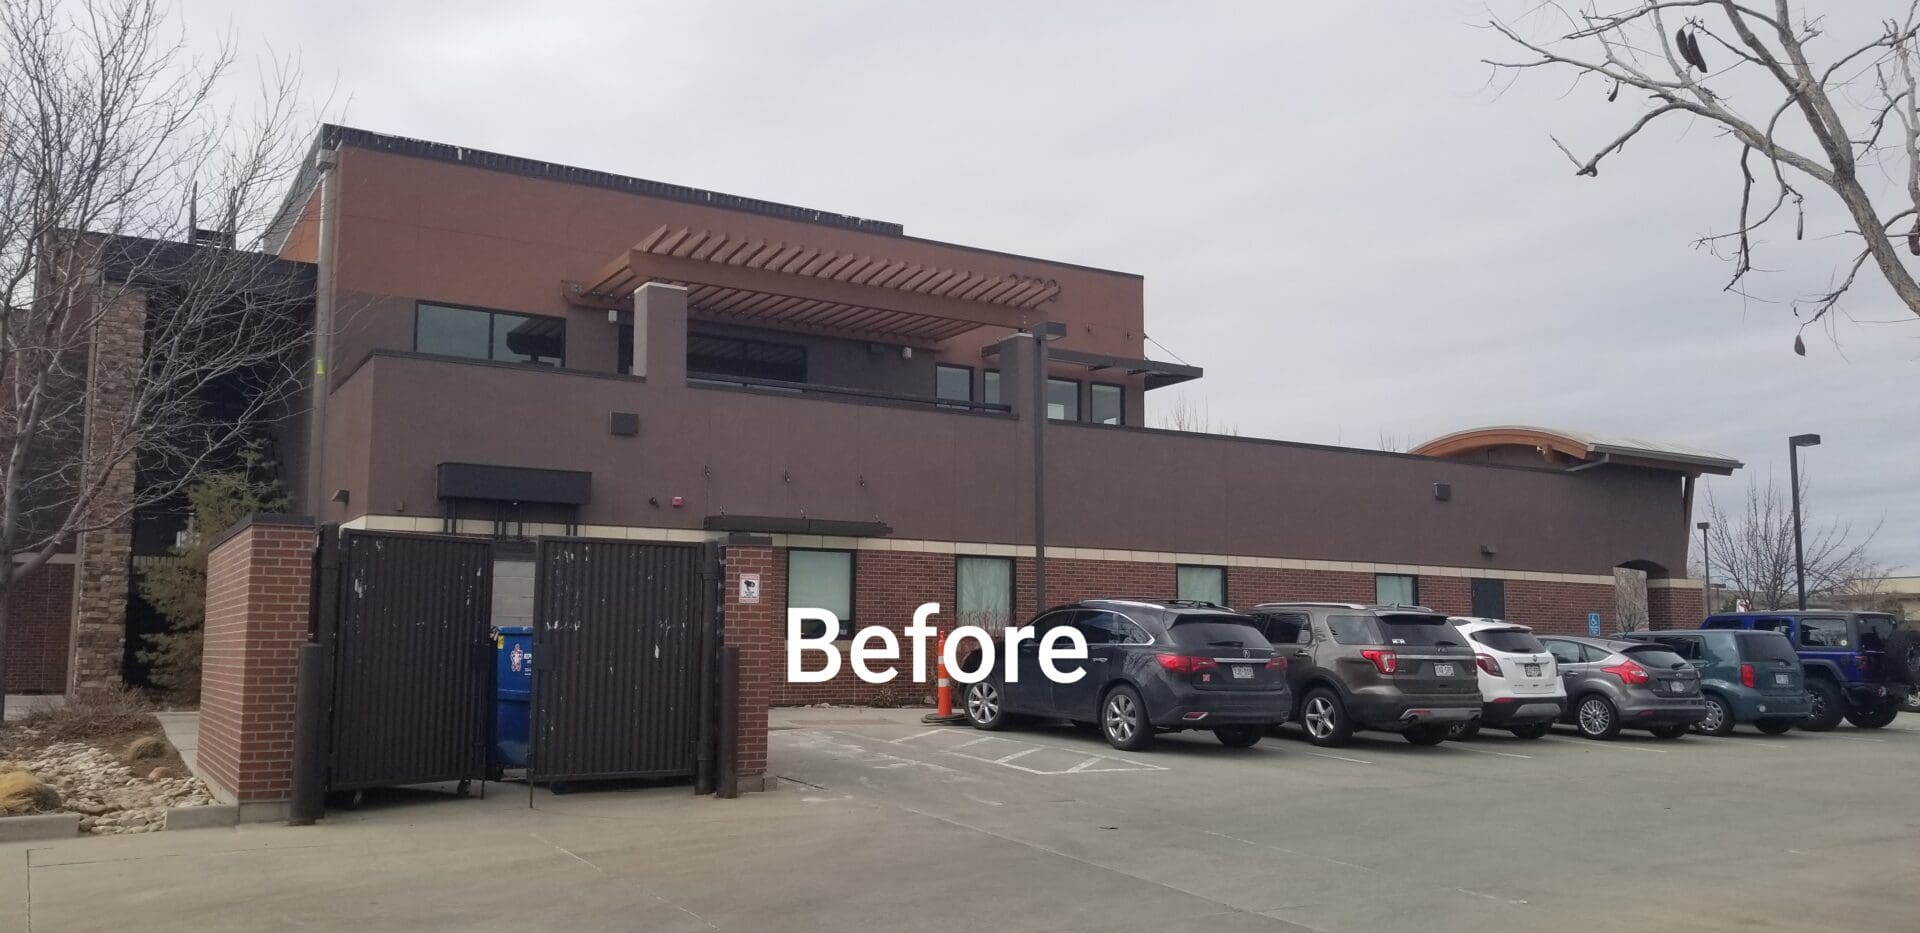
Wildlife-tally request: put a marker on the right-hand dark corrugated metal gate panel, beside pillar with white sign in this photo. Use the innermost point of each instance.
(623, 658)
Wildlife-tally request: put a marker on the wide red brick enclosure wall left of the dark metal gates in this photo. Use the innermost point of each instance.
(258, 602)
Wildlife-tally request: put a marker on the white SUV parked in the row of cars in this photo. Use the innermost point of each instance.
(1520, 682)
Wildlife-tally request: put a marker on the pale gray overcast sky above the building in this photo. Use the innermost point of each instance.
(1333, 210)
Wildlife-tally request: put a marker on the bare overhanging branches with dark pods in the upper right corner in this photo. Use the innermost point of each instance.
(1796, 124)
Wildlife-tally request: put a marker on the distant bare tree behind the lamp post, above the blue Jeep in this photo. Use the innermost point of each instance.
(1752, 550)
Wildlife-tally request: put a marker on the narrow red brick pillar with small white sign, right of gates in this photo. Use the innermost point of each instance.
(757, 631)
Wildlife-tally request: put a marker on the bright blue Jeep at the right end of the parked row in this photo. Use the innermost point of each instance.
(1860, 665)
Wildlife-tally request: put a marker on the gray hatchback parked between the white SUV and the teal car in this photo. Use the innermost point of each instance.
(1616, 684)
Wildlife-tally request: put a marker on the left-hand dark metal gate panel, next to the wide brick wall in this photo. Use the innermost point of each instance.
(412, 673)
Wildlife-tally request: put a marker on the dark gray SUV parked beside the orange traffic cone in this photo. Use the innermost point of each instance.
(1153, 665)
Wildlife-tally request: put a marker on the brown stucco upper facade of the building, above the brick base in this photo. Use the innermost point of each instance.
(786, 366)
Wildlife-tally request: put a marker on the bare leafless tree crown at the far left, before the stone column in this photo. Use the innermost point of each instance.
(130, 362)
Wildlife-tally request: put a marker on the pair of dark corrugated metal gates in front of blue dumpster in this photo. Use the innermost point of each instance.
(625, 658)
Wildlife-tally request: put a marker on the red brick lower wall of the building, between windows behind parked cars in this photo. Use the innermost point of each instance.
(892, 585)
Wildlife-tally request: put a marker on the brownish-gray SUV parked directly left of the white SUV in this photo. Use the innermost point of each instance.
(1358, 667)
